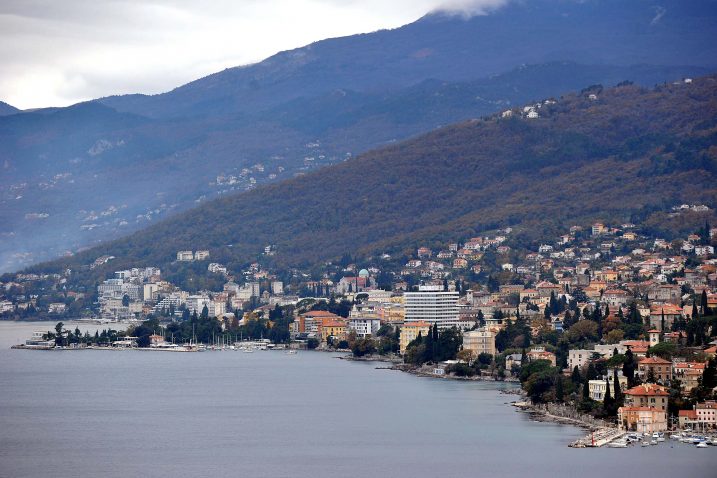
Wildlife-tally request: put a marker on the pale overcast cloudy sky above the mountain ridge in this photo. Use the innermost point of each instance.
(60, 52)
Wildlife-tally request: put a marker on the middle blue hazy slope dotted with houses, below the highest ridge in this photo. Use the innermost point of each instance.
(78, 175)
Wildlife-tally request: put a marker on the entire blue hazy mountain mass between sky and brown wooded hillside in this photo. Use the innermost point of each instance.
(73, 177)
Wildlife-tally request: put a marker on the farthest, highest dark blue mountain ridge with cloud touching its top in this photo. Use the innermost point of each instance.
(673, 32)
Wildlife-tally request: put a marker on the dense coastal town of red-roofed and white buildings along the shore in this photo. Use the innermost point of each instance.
(606, 320)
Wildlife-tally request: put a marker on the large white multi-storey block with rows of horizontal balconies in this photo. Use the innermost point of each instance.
(433, 305)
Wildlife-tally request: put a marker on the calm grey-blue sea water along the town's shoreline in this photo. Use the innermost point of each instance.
(268, 414)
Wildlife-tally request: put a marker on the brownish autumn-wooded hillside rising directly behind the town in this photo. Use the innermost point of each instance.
(625, 153)
